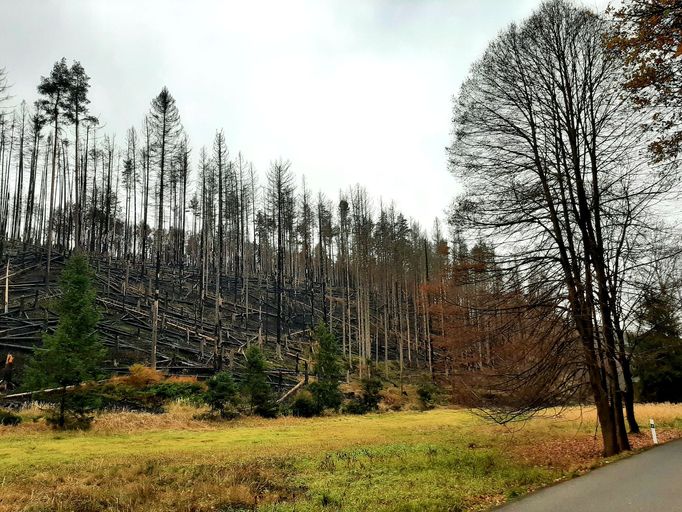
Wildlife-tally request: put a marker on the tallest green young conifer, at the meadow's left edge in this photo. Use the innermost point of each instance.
(73, 354)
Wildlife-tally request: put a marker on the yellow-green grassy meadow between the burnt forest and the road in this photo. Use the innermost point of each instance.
(444, 459)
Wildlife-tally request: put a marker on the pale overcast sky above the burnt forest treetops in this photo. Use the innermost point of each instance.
(349, 91)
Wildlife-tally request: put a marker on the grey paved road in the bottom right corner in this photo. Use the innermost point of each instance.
(648, 482)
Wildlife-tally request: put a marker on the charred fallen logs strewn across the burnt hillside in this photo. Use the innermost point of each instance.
(189, 341)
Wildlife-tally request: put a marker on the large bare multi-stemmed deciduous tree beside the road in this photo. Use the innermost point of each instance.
(549, 152)
